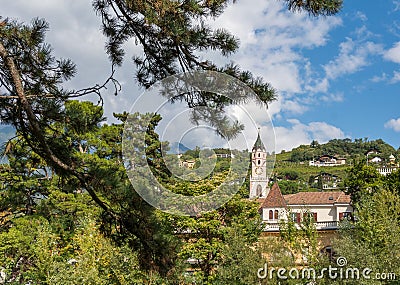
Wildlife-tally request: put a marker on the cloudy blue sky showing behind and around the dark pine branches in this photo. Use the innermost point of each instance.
(336, 77)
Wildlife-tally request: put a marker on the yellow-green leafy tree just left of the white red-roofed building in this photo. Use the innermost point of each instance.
(208, 240)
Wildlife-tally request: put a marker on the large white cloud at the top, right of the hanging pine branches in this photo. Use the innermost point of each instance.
(272, 38)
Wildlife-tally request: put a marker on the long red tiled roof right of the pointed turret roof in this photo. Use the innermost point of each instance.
(317, 198)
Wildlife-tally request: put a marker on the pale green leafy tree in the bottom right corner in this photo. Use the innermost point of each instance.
(373, 240)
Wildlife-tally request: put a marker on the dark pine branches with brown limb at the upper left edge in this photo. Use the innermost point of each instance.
(31, 78)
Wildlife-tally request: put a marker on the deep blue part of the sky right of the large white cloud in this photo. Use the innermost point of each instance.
(369, 90)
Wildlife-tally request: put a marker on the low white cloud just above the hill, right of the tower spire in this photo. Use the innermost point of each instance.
(299, 133)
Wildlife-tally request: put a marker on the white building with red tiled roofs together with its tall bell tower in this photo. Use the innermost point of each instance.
(326, 208)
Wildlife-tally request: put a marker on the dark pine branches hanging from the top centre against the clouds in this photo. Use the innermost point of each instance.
(171, 33)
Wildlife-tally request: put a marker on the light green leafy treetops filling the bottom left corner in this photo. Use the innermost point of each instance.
(36, 252)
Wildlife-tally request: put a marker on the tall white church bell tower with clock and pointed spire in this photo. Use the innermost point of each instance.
(258, 179)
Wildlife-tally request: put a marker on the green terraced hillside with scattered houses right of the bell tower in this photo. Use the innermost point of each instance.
(293, 173)
